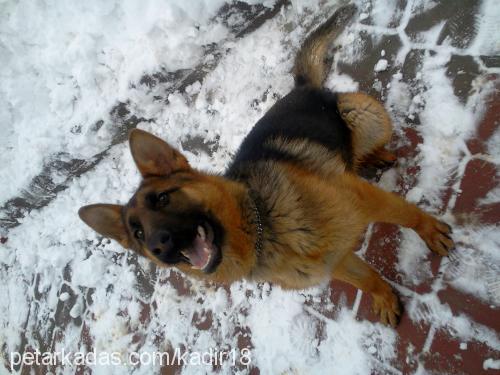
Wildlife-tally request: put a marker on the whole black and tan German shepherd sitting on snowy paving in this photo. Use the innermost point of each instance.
(290, 208)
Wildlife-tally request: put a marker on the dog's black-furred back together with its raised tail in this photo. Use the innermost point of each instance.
(306, 118)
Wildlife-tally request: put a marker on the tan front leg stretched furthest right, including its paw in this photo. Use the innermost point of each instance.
(377, 205)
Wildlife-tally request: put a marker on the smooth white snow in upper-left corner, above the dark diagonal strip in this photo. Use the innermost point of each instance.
(59, 80)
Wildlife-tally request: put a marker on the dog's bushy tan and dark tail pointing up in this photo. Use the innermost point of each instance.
(309, 68)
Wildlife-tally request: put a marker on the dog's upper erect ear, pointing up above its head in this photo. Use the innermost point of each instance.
(153, 156)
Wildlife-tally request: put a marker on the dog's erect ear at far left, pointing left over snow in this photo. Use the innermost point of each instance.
(105, 219)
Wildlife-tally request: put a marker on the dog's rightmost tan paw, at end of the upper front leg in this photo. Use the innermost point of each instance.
(436, 234)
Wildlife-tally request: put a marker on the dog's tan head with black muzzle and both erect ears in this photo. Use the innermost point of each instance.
(178, 216)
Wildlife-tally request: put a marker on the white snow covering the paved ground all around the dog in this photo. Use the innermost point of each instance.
(68, 66)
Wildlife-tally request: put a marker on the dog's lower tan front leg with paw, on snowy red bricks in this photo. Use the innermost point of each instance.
(356, 272)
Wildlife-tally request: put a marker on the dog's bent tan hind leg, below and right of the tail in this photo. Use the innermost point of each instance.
(371, 128)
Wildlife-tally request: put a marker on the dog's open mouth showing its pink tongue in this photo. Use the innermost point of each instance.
(203, 253)
